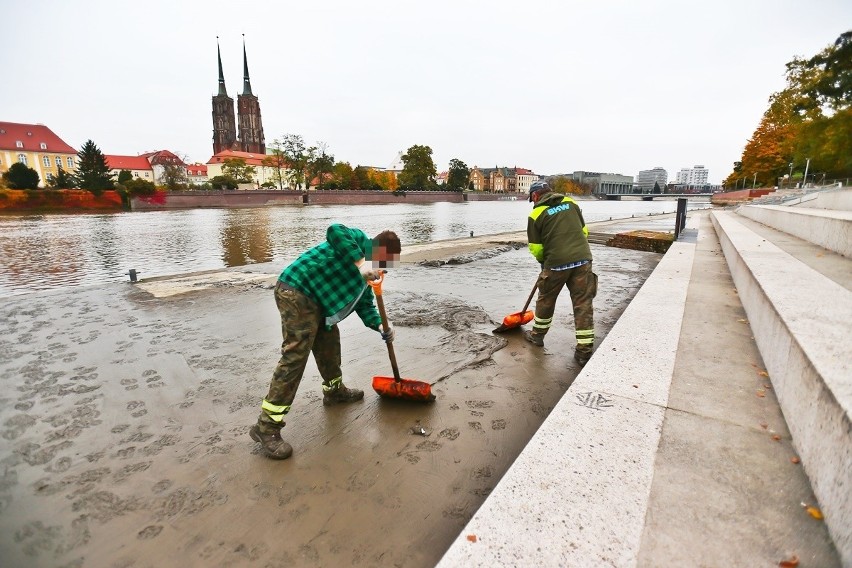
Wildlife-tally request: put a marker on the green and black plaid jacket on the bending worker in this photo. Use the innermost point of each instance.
(327, 274)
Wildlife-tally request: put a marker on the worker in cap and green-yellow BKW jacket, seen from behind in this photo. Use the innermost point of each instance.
(558, 239)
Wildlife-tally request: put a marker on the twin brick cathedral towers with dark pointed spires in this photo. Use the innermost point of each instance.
(224, 127)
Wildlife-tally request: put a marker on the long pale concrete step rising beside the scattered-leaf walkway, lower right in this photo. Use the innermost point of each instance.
(801, 320)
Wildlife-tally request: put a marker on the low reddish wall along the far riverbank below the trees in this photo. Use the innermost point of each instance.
(265, 198)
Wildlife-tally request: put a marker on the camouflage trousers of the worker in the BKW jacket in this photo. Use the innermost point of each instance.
(582, 284)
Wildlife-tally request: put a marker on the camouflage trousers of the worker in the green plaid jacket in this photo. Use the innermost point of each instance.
(303, 333)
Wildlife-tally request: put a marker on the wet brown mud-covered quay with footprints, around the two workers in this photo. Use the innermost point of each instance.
(124, 413)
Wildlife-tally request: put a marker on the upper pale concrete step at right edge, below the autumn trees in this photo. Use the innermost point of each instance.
(831, 229)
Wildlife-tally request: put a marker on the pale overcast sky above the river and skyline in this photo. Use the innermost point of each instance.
(613, 86)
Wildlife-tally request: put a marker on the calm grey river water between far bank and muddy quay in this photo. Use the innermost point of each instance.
(47, 252)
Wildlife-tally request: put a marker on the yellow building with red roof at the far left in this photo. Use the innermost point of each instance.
(37, 147)
